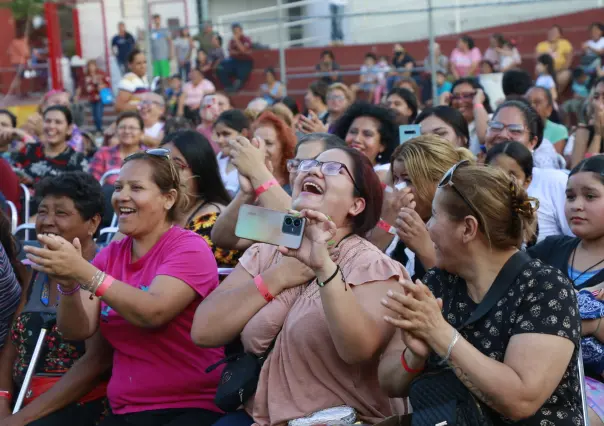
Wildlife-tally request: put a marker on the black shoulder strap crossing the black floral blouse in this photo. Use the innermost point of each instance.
(500, 286)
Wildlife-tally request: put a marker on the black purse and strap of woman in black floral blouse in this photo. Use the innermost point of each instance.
(438, 396)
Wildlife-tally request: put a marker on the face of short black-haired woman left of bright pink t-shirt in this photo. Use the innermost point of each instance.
(58, 215)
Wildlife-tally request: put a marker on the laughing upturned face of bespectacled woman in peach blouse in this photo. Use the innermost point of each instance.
(337, 198)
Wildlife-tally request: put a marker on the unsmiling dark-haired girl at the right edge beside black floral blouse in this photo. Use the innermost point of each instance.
(581, 258)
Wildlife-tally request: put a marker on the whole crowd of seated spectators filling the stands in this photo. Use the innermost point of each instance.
(430, 274)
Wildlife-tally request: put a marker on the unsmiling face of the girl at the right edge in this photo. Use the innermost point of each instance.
(584, 205)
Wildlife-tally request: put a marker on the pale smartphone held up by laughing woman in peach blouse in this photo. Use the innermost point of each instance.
(269, 226)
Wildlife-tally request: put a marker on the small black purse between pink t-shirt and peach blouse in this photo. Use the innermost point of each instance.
(239, 378)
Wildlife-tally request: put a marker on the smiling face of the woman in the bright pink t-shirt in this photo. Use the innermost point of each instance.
(137, 200)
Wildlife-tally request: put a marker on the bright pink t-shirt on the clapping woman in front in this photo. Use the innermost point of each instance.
(160, 368)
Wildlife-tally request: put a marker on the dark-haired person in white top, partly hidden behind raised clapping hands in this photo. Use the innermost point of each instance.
(229, 125)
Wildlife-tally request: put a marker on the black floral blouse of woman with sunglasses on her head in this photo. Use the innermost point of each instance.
(541, 300)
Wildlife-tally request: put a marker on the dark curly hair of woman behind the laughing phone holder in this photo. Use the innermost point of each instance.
(388, 128)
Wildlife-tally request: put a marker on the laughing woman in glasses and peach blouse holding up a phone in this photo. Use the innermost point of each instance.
(332, 285)
